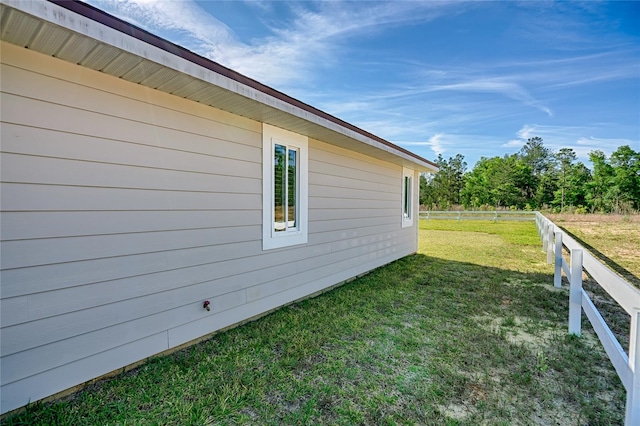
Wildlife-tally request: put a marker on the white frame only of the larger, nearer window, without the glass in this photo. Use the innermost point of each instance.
(271, 239)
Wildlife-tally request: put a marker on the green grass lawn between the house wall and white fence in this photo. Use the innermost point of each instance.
(467, 331)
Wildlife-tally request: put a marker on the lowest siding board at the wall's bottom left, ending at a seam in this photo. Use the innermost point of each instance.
(31, 389)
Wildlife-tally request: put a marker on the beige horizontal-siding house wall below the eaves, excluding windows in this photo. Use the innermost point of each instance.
(124, 208)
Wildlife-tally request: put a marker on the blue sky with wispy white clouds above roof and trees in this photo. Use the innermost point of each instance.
(475, 78)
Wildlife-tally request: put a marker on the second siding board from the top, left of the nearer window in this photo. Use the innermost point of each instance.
(34, 85)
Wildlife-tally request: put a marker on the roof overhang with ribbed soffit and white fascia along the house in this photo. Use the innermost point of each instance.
(82, 34)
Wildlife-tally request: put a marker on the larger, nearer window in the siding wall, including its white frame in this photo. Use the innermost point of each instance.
(284, 188)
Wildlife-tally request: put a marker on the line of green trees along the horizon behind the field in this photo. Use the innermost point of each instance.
(537, 178)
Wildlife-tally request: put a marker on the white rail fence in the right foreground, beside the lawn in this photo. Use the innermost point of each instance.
(627, 296)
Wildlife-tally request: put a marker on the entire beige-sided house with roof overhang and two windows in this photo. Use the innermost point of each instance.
(140, 180)
